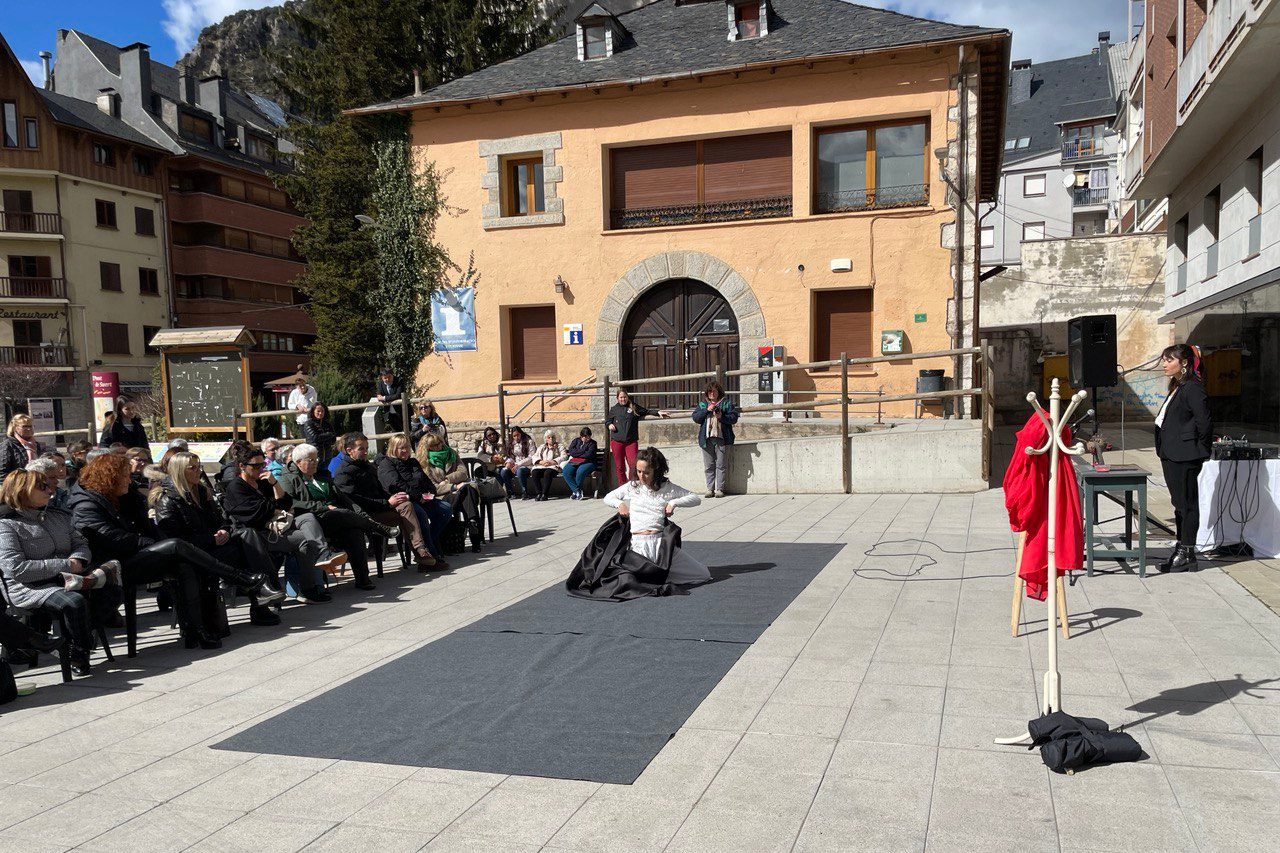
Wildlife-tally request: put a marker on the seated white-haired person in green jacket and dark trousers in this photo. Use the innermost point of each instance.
(345, 524)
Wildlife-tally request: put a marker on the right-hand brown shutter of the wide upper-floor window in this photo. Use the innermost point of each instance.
(747, 167)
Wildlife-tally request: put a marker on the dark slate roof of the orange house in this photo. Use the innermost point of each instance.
(671, 40)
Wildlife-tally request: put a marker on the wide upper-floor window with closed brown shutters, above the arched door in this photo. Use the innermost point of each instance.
(723, 180)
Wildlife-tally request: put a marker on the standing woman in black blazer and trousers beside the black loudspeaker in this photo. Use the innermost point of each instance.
(1182, 444)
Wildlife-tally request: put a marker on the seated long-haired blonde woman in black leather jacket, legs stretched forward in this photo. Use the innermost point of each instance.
(186, 509)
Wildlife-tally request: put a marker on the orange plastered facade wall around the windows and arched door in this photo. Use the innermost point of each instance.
(899, 254)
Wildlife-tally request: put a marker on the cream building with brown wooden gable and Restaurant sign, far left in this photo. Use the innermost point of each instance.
(85, 279)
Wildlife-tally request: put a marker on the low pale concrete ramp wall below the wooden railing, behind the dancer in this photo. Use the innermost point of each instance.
(916, 458)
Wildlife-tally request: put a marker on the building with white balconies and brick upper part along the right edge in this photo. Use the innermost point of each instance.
(1212, 147)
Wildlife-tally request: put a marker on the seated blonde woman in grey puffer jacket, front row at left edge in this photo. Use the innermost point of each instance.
(47, 564)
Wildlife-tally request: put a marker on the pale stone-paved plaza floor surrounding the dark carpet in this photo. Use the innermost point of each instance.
(862, 720)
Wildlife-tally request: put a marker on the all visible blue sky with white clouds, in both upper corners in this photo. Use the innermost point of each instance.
(1043, 29)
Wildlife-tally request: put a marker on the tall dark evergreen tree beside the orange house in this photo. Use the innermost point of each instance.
(364, 53)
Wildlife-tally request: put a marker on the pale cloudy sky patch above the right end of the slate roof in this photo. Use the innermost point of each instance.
(1043, 31)
